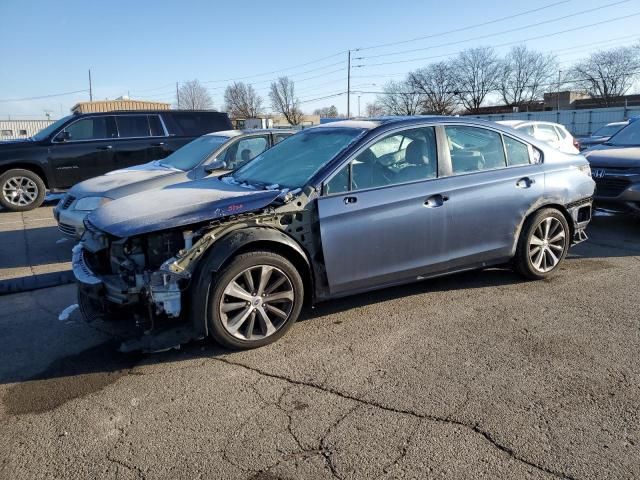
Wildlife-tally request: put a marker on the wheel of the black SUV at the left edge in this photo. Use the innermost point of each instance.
(21, 190)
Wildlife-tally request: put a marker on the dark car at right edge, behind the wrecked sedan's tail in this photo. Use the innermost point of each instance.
(615, 166)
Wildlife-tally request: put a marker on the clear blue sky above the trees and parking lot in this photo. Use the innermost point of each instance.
(143, 47)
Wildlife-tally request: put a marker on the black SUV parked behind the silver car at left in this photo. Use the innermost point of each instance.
(82, 146)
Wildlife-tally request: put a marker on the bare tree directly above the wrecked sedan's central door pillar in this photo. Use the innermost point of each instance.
(437, 83)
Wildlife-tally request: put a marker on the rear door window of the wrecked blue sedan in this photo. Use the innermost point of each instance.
(474, 149)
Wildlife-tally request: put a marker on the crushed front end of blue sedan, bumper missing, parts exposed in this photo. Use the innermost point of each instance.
(121, 283)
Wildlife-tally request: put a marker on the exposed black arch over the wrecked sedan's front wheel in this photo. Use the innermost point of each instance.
(235, 243)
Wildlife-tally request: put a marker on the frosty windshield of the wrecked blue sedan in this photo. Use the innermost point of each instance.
(294, 161)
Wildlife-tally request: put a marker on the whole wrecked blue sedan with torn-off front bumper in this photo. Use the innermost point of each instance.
(334, 210)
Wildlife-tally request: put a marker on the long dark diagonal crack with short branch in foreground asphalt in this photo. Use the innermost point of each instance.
(475, 428)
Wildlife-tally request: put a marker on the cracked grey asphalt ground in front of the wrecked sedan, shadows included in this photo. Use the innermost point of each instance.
(478, 375)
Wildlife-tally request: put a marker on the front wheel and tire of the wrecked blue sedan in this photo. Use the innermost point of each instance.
(254, 300)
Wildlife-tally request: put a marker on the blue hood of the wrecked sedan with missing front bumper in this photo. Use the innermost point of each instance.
(178, 205)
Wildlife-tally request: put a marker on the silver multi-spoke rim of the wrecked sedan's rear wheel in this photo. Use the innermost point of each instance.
(547, 244)
